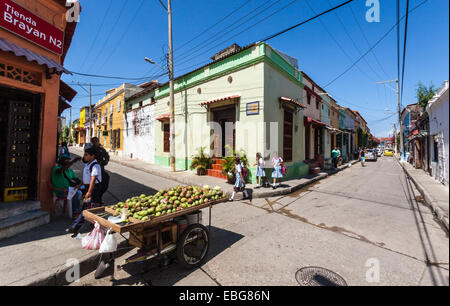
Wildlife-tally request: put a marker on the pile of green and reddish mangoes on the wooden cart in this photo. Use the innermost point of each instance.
(168, 201)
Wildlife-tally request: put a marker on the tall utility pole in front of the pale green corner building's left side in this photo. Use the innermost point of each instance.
(172, 99)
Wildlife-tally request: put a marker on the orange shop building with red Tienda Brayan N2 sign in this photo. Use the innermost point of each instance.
(35, 37)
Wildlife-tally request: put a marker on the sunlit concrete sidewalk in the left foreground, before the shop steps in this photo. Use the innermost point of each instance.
(39, 257)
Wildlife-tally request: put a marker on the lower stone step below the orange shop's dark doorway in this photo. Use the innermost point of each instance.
(22, 223)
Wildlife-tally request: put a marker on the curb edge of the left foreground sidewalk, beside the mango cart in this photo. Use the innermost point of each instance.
(87, 264)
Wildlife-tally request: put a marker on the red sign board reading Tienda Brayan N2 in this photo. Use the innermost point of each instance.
(25, 24)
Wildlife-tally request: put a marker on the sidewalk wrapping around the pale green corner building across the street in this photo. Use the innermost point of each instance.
(190, 178)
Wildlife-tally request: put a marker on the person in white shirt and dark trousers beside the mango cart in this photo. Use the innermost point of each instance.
(92, 178)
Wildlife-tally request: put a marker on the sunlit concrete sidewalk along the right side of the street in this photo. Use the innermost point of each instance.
(434, 193)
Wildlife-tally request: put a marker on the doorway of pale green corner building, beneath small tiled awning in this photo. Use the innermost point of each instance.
(224, 141)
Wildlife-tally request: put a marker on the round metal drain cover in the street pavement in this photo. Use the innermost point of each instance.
(316, 276)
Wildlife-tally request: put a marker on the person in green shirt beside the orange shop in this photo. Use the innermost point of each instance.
(63, 177)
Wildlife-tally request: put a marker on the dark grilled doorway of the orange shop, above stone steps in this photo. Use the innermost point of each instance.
(19, 126)
